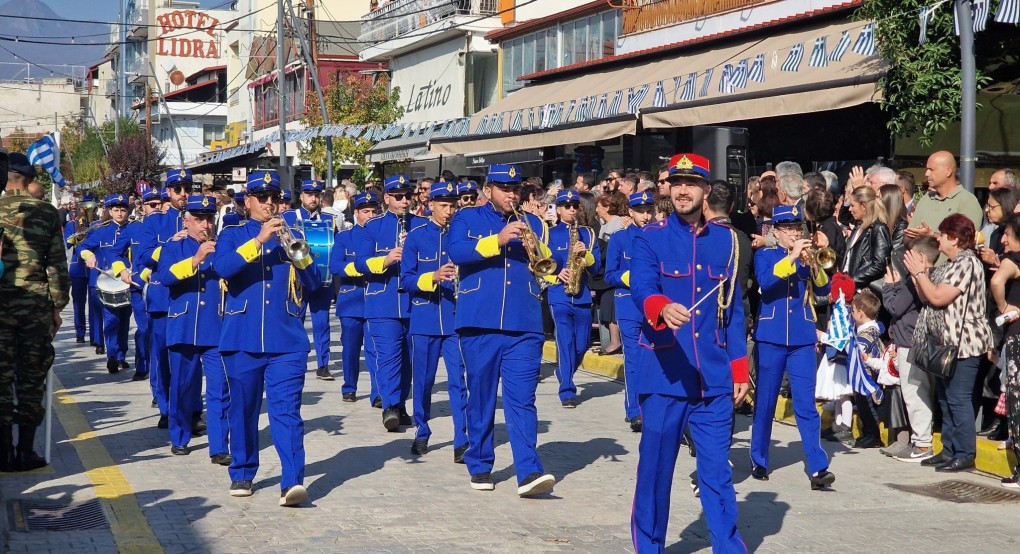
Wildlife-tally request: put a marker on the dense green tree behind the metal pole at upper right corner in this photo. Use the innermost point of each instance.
(923, 91)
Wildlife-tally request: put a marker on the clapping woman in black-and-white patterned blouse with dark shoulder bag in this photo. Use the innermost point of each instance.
(954, 298)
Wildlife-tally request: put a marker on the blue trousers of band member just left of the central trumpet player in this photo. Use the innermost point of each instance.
(426, 351)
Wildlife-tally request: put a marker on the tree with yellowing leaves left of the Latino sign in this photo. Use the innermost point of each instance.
(353, 100)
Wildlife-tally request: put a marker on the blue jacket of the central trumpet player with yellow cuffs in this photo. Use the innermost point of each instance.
(497, 290)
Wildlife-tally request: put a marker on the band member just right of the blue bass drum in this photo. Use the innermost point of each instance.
(351, 303)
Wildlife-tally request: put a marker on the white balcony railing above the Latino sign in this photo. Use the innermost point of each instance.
(400, 18)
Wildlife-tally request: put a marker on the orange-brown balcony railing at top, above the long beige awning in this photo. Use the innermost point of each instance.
(641, 16)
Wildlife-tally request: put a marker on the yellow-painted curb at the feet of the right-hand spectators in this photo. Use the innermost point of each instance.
(990, 459)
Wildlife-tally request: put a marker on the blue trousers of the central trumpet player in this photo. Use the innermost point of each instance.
(489, 357)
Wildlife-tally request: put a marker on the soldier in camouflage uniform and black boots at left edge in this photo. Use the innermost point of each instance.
(34, 289)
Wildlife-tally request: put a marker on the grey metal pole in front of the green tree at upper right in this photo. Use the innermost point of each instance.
(968, 112)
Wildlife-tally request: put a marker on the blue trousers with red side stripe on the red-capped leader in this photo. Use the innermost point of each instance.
(665, 419)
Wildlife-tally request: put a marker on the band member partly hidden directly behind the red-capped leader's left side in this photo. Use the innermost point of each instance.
(619, 257)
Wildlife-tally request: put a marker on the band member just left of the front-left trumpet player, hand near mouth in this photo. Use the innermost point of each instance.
(193, 331)
